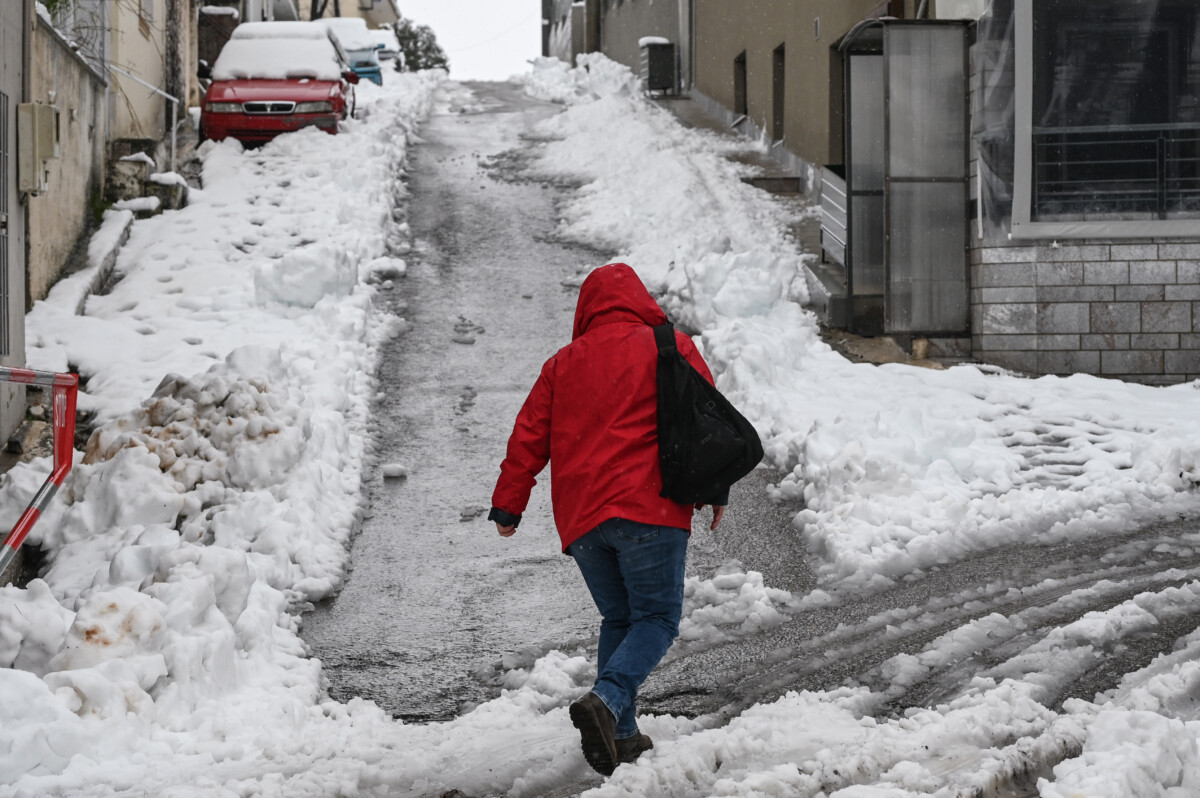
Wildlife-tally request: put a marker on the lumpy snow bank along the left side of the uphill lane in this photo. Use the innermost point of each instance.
(161, 644)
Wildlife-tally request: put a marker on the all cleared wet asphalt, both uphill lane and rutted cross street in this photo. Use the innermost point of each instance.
(436, 598)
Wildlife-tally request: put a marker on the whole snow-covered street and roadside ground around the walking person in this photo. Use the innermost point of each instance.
(981, 551)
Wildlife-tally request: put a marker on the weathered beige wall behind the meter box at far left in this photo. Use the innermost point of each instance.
(61, 217)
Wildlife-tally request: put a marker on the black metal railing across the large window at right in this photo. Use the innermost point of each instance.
(1153, 170)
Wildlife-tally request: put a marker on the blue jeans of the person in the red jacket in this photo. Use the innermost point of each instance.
(635, 574)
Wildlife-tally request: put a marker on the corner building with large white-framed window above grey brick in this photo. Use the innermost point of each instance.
(1087, 255)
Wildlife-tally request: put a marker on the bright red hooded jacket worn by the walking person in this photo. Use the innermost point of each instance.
(593, 413)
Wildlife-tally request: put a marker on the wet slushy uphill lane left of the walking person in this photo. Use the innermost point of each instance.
(436, 597)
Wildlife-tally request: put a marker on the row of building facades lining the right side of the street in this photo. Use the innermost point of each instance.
(1012, 182)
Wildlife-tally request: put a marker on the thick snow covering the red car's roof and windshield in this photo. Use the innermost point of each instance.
(278, 59)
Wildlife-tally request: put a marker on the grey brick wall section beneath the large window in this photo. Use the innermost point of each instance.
(1115, 309)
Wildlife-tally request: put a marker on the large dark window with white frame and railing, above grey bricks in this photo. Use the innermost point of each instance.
(1113, 104)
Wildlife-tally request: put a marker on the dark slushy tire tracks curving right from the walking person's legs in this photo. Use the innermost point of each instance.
(1042, 590)
